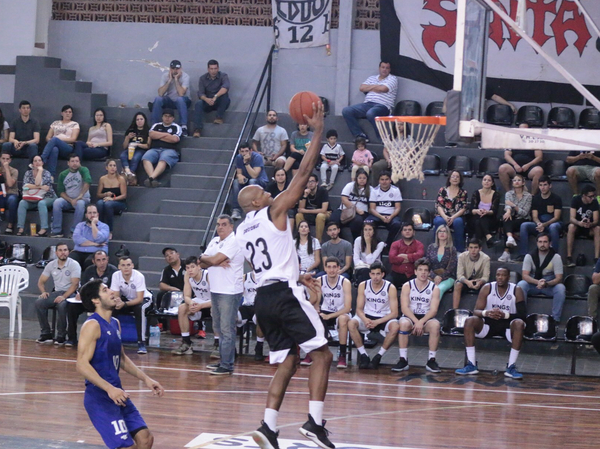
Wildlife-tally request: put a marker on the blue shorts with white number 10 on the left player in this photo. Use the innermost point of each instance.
(116, 425)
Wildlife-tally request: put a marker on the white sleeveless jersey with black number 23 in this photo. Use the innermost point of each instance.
(271, 252)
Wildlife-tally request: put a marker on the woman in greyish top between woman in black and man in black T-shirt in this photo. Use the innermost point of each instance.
(517, 210)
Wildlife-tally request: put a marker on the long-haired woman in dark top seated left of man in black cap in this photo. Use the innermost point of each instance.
(137, 140)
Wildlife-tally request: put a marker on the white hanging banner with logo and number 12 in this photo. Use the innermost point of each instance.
(301, 23)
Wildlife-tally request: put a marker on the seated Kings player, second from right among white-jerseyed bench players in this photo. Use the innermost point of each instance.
(419, 302)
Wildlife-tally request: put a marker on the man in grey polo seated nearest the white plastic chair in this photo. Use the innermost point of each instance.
(65, 273)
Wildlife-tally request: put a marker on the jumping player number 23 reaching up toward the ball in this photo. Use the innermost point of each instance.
(284, 314)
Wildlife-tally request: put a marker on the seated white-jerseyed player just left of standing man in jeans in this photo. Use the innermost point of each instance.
(196, 302)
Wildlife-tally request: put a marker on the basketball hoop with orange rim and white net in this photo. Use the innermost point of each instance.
(408, 139)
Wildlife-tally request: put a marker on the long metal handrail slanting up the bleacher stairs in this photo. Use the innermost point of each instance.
(228, 179)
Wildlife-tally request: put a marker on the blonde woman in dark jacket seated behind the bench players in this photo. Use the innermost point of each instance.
(443, 259)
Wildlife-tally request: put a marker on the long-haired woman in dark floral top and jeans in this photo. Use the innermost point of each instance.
(450, 206)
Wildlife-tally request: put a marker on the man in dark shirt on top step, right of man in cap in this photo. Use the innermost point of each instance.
(213, 94)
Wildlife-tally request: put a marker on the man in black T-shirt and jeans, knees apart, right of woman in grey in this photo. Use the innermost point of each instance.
(546, 209)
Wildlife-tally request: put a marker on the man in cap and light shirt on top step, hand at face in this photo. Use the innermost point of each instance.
(173, 93)
